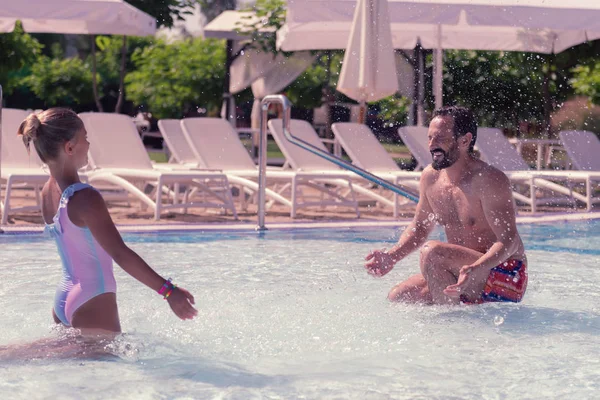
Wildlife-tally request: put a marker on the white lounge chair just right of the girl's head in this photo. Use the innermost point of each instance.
(118, 156)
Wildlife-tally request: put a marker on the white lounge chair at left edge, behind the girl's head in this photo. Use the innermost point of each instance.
(19, 168)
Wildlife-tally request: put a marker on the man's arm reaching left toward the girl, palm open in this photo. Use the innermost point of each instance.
(381, 262)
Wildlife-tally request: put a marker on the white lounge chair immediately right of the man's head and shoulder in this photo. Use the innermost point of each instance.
(496, 150)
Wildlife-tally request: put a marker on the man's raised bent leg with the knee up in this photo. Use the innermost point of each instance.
(441, 264)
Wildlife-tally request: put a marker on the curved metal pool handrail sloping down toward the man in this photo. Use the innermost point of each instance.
(268, 100)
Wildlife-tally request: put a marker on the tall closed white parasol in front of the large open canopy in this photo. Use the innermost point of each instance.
(369, 68)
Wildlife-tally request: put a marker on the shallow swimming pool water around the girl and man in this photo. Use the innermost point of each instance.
(292, 314)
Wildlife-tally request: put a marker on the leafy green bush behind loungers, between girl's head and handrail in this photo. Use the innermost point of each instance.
(173, 79)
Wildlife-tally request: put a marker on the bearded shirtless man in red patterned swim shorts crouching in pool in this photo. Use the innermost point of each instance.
(484, 259)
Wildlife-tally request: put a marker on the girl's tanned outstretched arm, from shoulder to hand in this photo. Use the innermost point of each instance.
(88, 209)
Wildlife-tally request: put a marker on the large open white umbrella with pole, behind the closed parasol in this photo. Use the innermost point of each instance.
(543, 26)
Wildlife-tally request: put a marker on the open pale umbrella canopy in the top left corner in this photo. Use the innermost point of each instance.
(114, 17)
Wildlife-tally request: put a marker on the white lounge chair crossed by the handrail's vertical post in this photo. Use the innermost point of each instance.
(216, 145)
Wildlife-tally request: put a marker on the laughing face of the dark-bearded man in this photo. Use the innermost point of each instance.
(442, 143)
